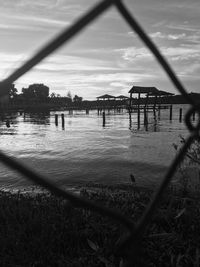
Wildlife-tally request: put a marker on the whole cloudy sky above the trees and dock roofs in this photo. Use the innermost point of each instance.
(107, 57)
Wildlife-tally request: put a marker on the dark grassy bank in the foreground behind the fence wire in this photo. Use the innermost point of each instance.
(42, 230)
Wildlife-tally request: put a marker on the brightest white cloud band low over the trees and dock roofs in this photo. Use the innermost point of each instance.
(86, 84)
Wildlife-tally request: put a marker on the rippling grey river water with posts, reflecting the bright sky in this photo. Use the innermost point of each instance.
(85, 150)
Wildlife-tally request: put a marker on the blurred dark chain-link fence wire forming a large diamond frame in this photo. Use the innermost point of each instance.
(134, 232)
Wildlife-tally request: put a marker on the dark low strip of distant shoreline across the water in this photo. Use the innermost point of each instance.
(57, 103)
